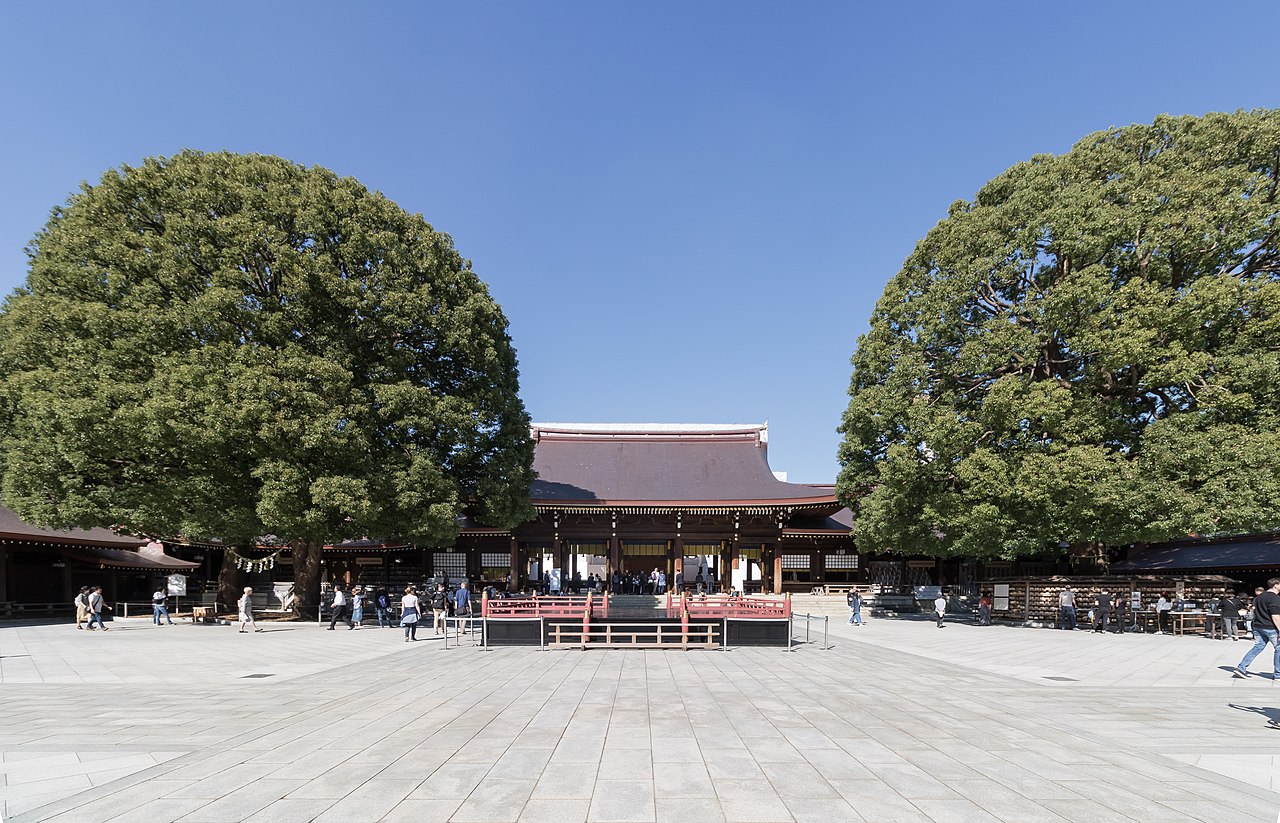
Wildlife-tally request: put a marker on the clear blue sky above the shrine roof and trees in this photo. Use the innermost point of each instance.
(687, 211)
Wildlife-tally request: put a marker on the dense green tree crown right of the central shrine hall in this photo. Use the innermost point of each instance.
(1086, 354)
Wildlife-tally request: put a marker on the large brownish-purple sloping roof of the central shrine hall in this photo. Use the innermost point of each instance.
(655, 464)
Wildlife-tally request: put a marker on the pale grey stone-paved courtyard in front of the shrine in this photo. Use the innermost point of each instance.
(899, 721)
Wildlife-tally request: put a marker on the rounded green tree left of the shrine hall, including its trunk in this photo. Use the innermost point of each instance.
(235, 346)
